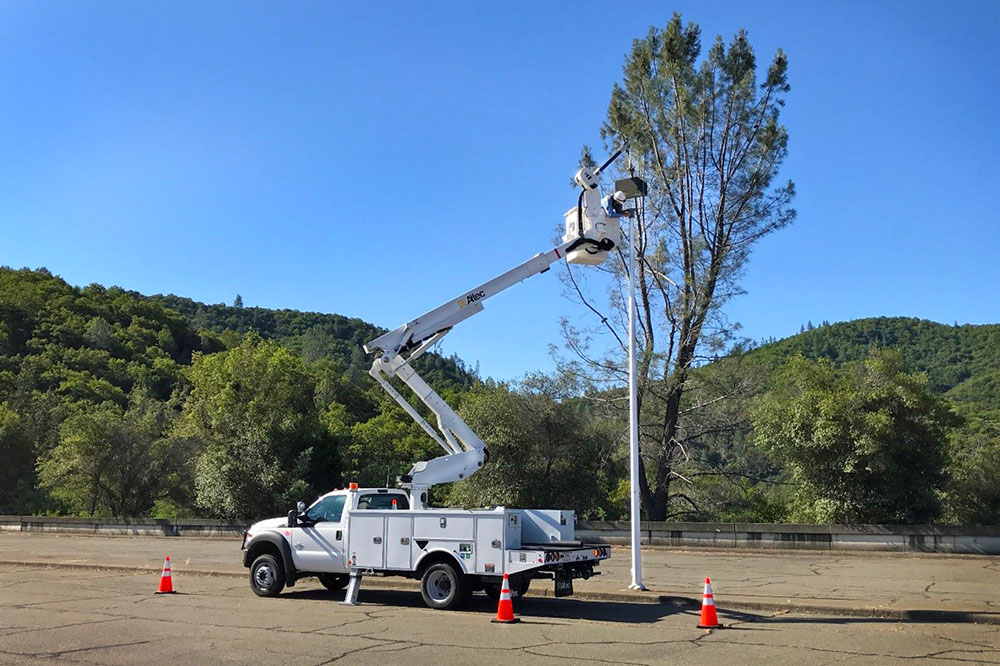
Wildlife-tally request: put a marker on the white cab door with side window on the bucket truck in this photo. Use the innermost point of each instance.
(319, 546)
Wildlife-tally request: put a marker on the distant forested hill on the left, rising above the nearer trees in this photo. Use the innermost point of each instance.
(101, 335)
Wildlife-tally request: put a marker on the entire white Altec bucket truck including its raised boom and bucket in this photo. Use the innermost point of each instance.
(392, 532)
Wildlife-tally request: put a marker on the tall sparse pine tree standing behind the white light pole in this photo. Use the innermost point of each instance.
(707, 139)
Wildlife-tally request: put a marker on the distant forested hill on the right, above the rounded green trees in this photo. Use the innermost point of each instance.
(960, 361)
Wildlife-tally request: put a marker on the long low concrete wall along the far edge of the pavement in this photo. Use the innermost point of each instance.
(756, 536)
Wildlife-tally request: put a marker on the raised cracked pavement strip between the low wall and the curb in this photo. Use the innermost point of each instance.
(887, 585)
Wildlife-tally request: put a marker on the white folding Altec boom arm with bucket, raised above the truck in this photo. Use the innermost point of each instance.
(590, 234)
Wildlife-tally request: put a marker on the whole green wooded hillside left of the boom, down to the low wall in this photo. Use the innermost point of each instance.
(106, 393)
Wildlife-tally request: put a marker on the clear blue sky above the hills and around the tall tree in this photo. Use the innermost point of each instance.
(376, 159)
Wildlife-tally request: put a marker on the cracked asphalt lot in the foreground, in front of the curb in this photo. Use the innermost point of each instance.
(54, 615)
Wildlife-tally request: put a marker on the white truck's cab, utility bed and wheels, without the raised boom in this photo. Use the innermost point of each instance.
(452, 551)
